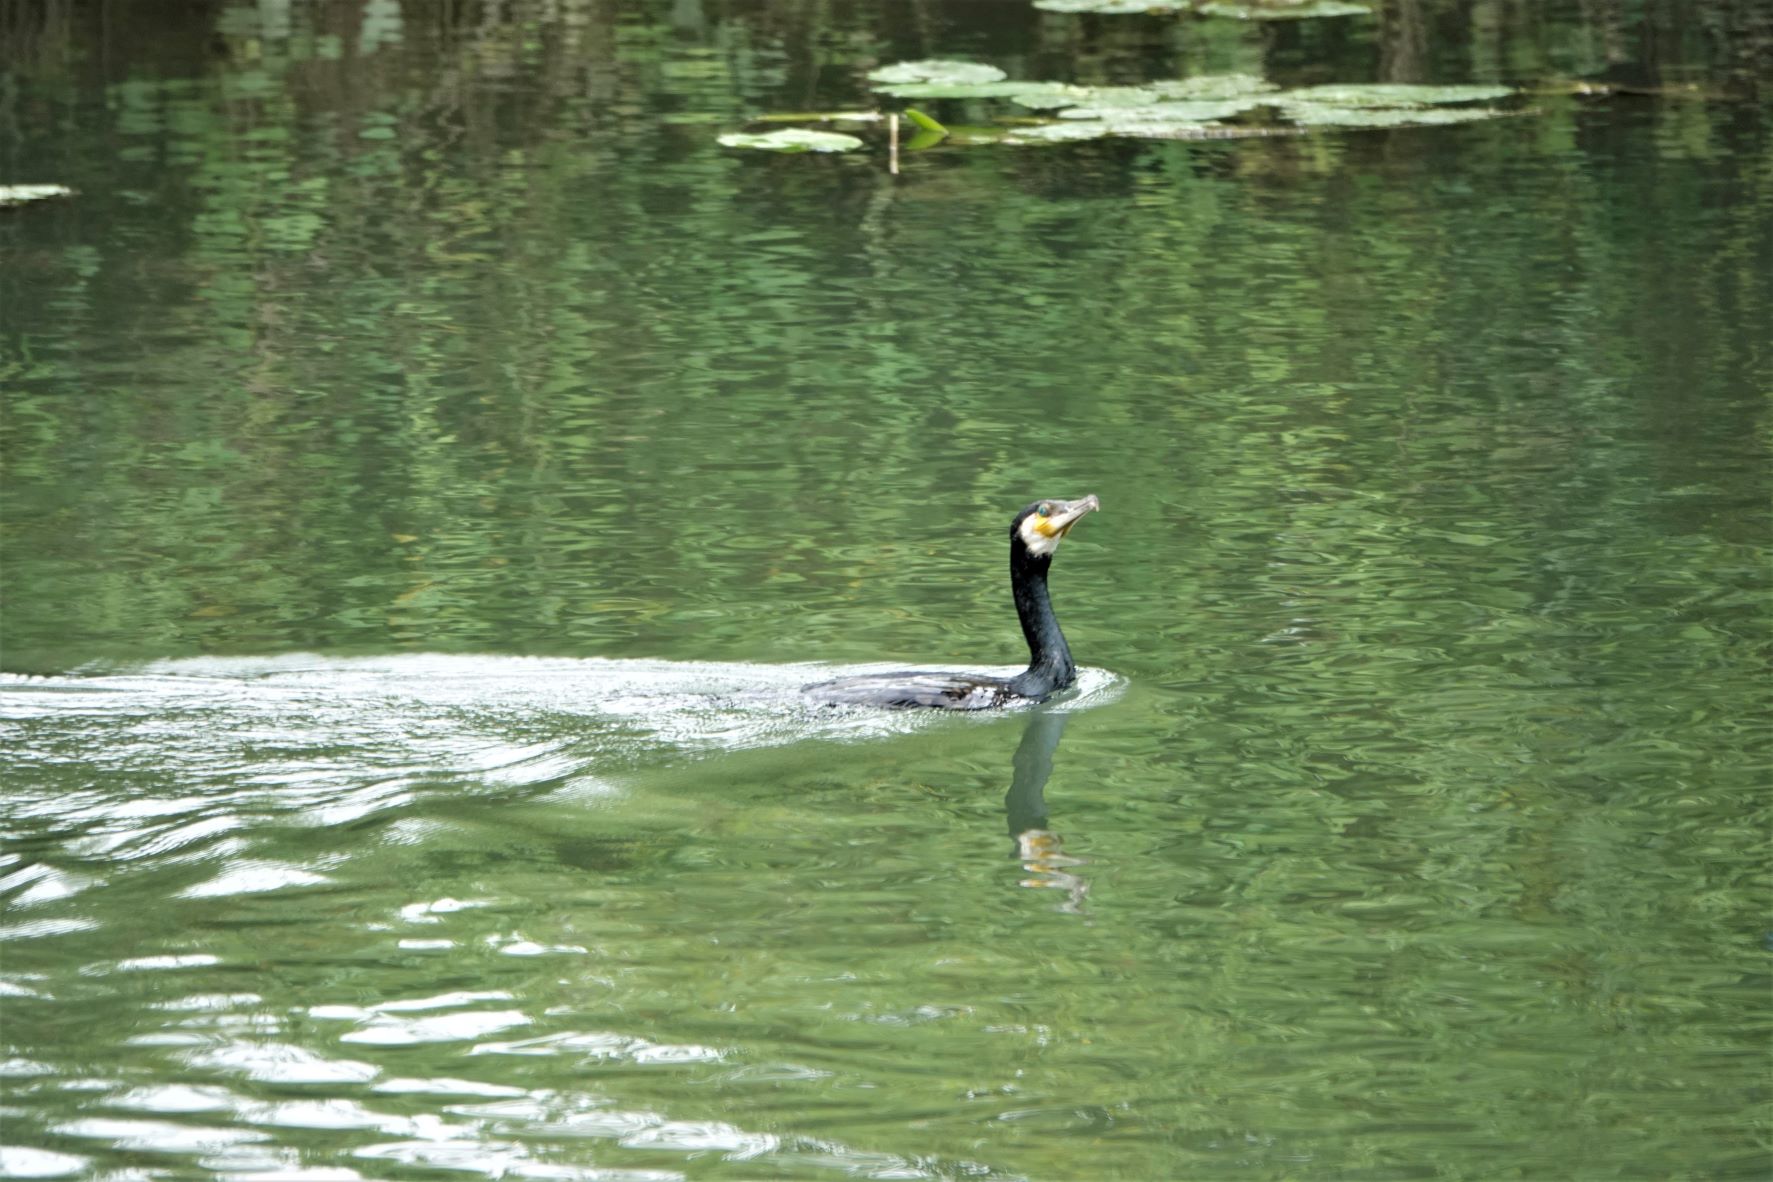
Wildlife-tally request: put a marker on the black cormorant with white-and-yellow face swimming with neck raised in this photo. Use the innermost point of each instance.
(1033, 540)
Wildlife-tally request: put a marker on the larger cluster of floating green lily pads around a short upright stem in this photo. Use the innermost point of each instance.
(1187, 109)
